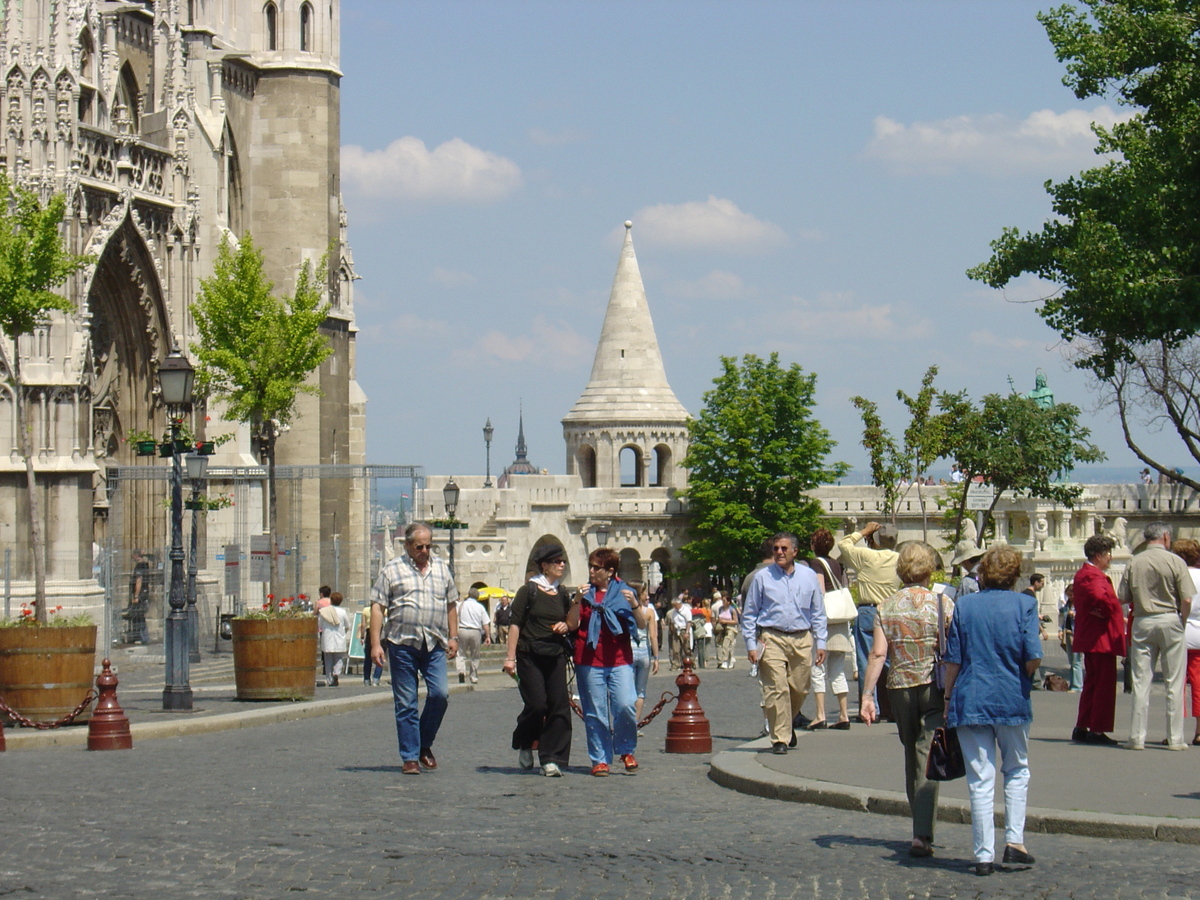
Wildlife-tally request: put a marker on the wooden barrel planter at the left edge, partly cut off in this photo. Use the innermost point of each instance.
(46, 671)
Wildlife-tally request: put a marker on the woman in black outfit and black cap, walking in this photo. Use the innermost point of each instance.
(537, 655)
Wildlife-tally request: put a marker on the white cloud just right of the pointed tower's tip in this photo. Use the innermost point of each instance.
(716, 223)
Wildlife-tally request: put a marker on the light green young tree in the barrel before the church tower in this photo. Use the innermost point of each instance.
(257, 351)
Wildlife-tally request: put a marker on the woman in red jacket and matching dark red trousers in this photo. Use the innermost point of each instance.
(1101, 638)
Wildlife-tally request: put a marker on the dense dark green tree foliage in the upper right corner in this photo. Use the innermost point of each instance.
(1125, 245)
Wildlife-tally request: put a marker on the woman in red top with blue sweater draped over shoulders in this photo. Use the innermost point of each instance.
(605, 615)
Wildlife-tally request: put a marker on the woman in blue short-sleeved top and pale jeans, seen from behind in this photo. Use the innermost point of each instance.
(992, 655)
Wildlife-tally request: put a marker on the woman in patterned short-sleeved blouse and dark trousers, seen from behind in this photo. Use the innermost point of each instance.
(907, 637)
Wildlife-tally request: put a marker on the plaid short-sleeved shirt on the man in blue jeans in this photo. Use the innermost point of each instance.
(416, 604)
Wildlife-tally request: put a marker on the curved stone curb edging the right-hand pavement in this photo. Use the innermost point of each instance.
(739, 770)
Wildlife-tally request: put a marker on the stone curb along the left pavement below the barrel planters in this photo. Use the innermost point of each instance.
(77, 737)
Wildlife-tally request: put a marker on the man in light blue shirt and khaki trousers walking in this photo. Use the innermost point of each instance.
(784, 627)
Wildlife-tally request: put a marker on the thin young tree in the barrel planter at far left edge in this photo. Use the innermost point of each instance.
(33, 262)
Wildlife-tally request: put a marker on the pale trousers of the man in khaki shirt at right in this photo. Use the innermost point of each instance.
(1157, 639)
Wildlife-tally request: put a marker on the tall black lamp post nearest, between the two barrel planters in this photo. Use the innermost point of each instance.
(176, 379)
